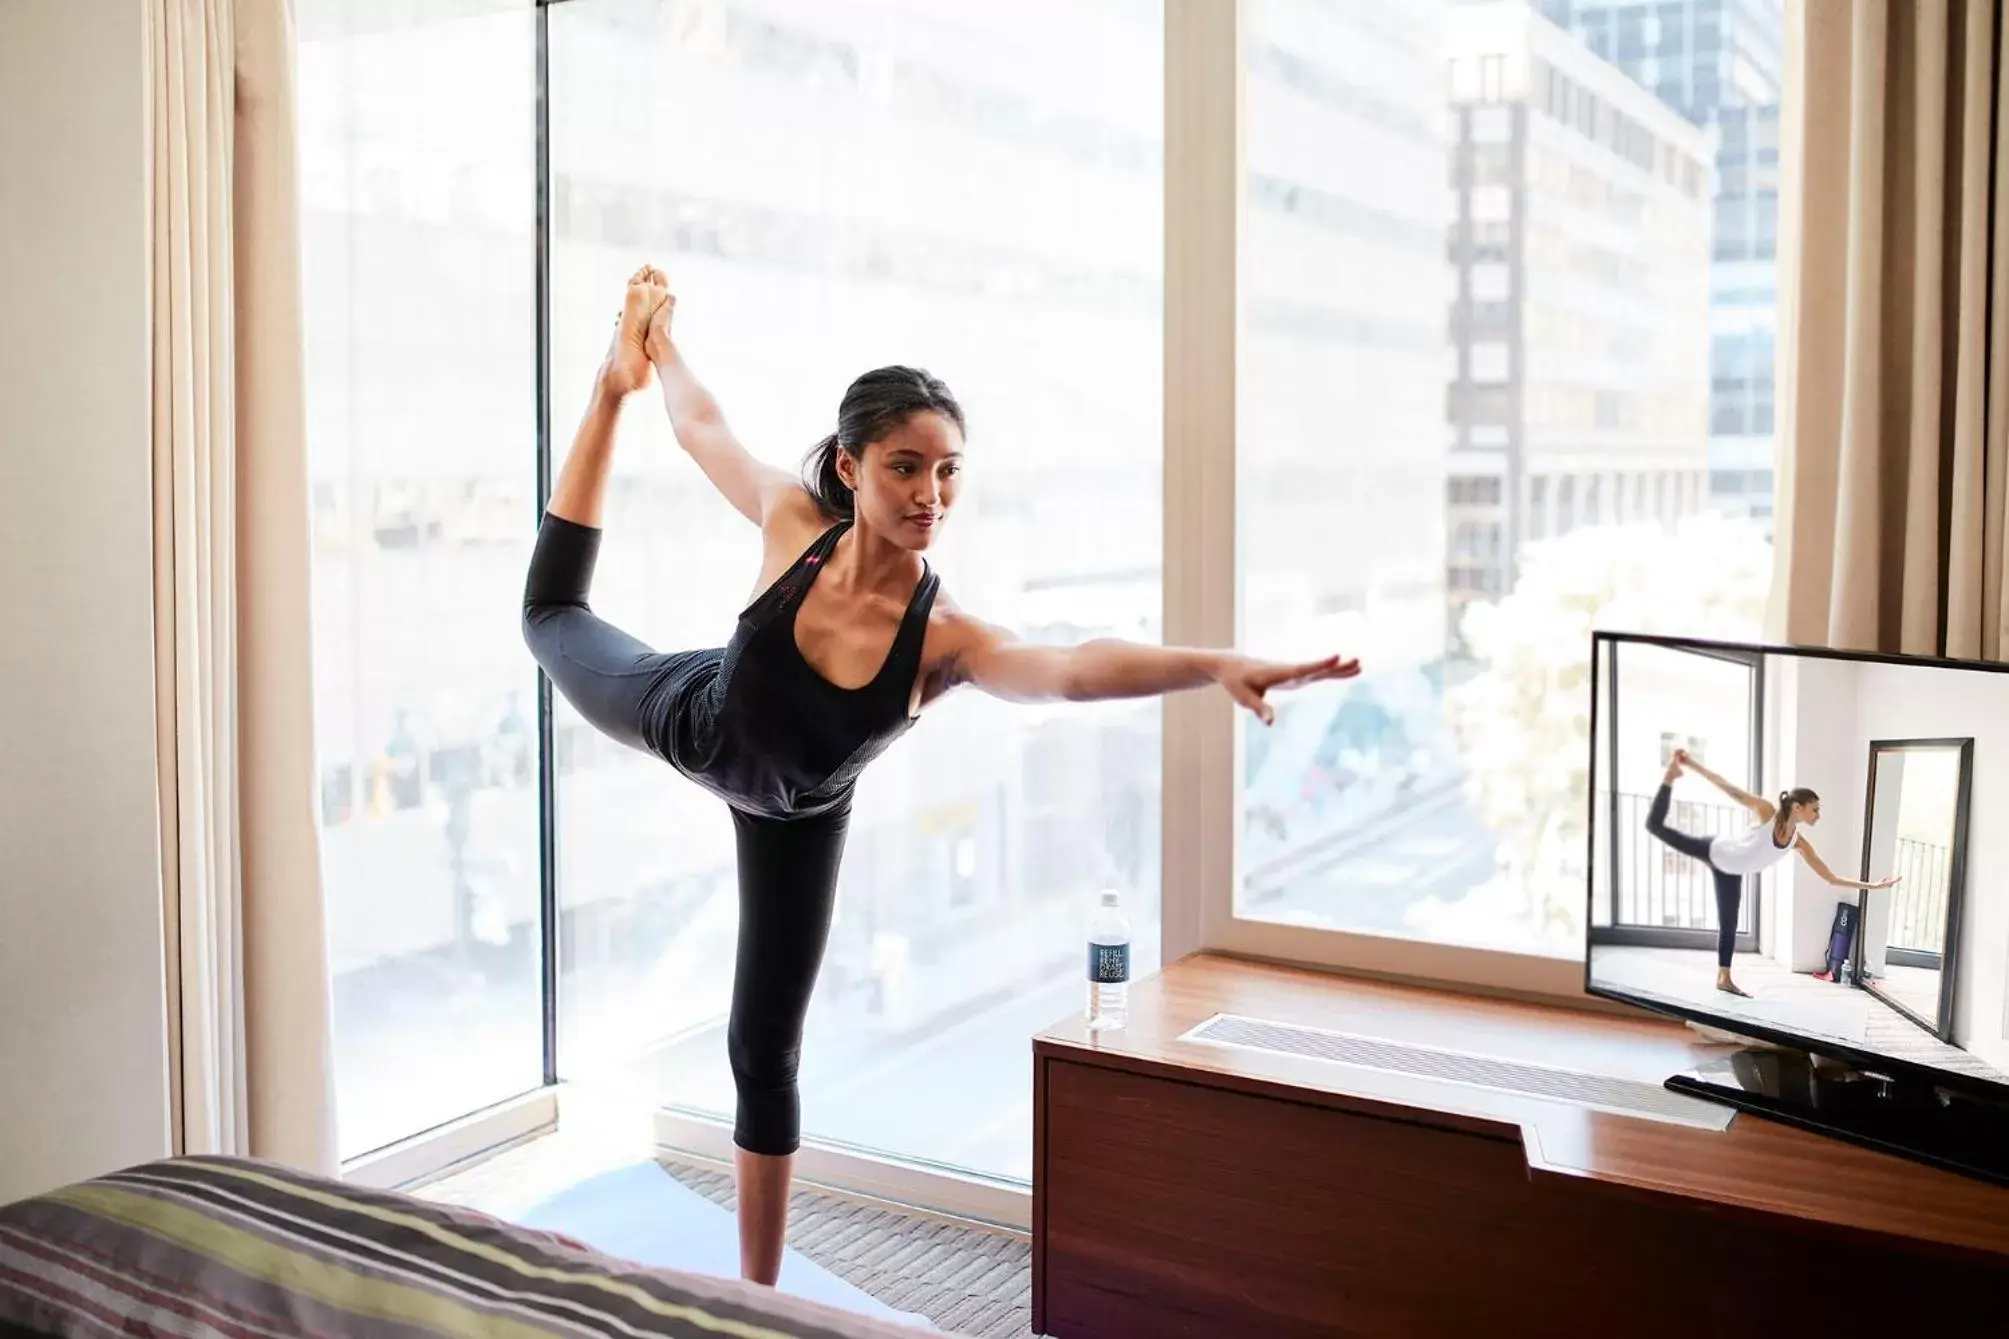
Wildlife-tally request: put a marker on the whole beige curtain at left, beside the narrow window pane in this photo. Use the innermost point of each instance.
(248, 963)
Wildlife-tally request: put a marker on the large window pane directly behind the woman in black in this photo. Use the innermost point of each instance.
(833, 188)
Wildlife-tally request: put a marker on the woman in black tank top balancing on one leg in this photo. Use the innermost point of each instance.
(847, 639)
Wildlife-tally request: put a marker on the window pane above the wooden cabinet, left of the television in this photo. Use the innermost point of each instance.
(1441, 794)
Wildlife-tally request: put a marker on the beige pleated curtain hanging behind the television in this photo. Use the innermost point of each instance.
(1893, 328)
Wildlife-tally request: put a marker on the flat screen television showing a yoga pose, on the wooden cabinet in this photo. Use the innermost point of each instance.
(1805, 852)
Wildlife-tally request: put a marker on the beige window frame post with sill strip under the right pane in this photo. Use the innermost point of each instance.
(1206, 176)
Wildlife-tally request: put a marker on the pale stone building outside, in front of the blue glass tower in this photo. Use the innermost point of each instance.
(1582, 316)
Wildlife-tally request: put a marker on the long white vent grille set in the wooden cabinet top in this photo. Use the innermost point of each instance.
(1626, 1097)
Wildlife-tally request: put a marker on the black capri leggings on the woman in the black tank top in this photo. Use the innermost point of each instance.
(789, 868)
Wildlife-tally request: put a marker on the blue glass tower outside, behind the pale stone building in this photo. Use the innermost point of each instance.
(1719, 63)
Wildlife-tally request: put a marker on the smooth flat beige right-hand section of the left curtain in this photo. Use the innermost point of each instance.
(288, 1035)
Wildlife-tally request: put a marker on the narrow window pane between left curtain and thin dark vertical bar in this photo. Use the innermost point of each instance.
(417, 172)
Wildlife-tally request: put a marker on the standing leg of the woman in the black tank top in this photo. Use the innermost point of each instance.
(789, 890)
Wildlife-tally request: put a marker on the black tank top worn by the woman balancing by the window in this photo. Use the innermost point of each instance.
(770, 736)
